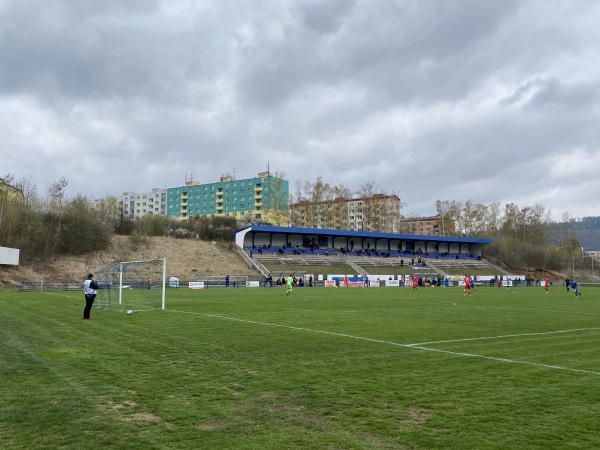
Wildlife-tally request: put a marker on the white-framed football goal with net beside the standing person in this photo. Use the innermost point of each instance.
(132, 285)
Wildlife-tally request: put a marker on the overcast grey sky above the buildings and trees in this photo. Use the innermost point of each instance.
(448, 99)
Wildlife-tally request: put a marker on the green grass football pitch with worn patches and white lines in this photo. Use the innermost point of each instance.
(252, 368)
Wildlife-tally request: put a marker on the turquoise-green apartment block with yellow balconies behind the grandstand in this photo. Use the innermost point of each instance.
(265, 198)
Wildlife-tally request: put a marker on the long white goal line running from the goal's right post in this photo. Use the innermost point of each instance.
(379, 341)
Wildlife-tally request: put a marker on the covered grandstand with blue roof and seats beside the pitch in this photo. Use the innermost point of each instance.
(325, 251)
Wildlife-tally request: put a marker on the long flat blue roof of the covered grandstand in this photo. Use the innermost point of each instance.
(363, 234)
